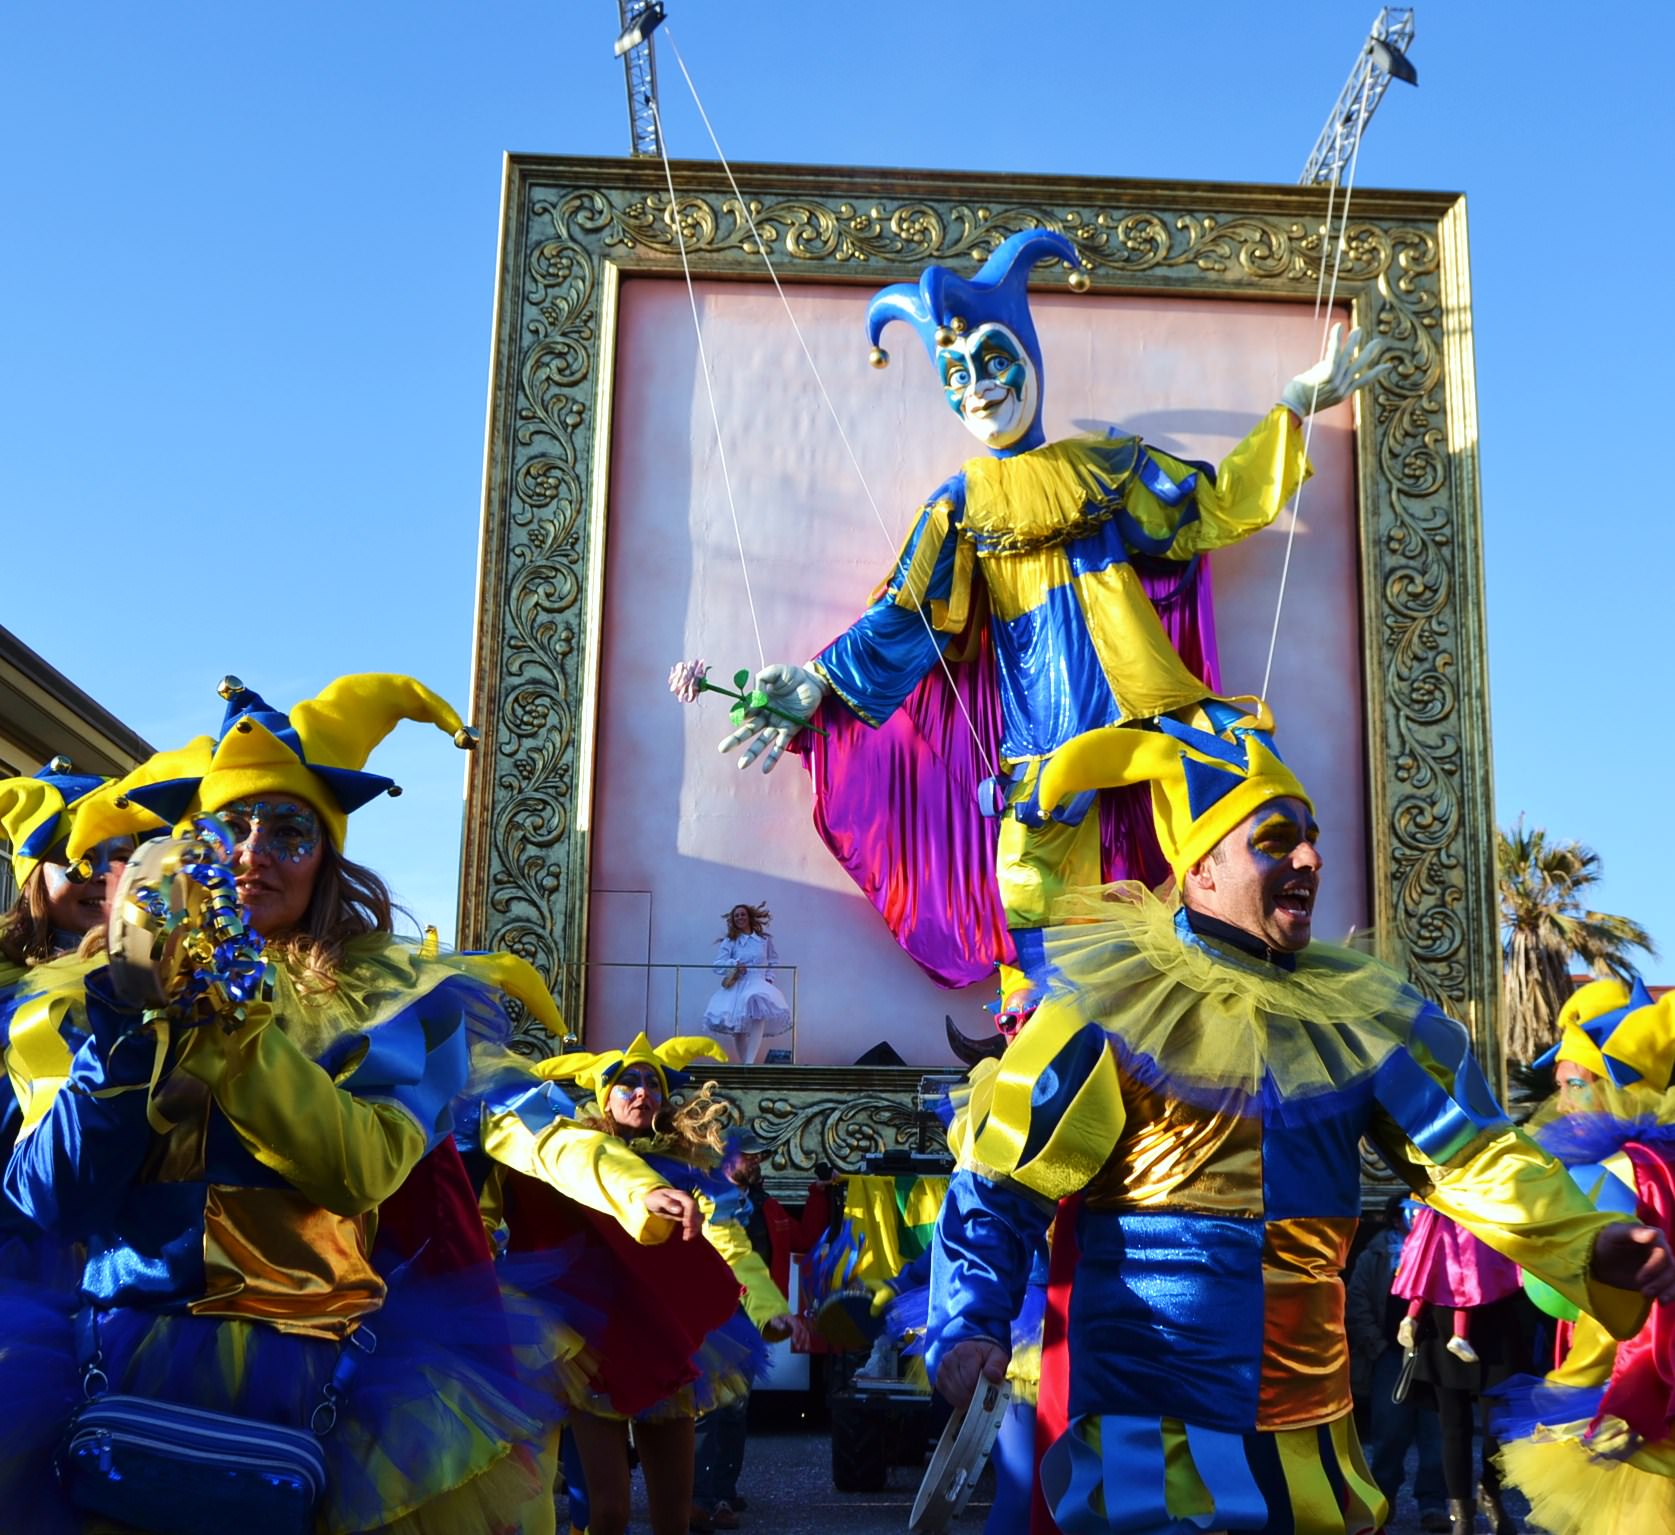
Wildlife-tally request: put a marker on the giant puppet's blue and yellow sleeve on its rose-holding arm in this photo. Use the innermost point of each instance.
(890, 649)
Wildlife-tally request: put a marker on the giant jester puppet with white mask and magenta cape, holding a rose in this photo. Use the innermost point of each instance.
(1058, 589)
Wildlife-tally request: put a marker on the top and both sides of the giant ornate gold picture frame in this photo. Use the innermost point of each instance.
(570, 229)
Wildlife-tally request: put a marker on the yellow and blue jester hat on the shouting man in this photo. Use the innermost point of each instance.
(1203, 783)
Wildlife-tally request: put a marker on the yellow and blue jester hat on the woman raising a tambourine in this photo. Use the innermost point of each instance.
(314, 755)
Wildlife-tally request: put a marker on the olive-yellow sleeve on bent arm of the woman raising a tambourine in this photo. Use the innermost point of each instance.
(343, 1154)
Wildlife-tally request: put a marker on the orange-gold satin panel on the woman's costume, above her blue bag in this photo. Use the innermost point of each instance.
(272, 1256)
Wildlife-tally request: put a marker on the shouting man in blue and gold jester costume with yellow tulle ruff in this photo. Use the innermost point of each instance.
(1190, 1100)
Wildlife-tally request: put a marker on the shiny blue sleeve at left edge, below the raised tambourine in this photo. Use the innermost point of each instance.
(76, 1165)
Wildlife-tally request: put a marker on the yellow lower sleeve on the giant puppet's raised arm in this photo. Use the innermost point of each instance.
(1254, 482)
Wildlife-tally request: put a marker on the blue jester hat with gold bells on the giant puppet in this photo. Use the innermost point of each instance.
(942, 304)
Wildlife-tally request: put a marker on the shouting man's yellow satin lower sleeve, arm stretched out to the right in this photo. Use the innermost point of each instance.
(1517, 1199)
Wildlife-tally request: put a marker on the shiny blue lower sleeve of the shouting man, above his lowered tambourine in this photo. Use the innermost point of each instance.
(986, 1243)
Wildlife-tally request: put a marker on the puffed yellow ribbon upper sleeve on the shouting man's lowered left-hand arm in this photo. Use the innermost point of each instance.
(1086, 1119)
